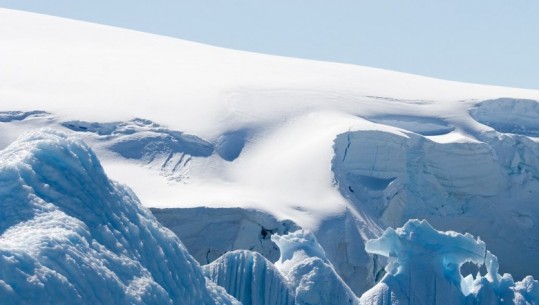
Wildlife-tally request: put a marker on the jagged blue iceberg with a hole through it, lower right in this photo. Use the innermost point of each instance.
(424, 268)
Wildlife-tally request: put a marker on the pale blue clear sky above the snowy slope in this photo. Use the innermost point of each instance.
(491, 42)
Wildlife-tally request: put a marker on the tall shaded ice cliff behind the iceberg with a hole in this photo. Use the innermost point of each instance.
(469, 185)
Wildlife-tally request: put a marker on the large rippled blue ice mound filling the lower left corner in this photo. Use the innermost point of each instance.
(71, 236)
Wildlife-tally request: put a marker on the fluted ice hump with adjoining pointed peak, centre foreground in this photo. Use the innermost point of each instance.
(303, 275)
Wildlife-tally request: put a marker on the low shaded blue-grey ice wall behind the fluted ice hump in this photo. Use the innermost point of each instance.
(209, 233)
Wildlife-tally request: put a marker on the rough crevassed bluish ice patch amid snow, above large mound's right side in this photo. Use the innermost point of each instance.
(143, 140)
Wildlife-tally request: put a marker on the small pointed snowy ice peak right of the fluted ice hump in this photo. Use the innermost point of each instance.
(310, 274)
